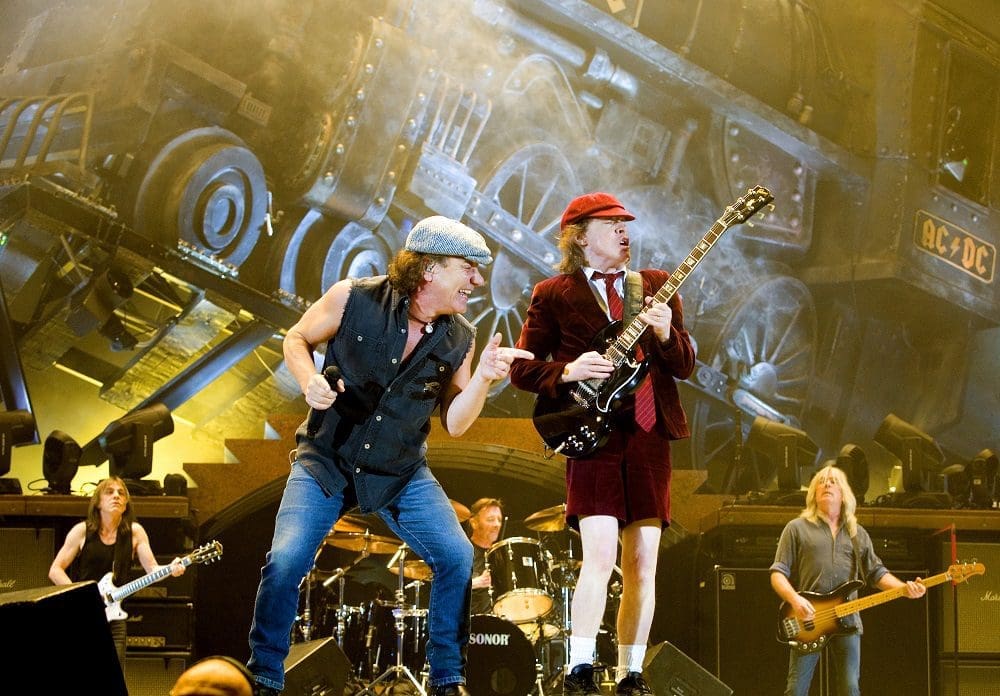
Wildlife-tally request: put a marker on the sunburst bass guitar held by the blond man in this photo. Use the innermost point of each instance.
(812, 636)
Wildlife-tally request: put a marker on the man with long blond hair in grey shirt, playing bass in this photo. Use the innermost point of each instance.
(820, 550)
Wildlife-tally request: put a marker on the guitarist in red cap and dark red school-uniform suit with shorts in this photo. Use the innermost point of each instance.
(622, 488)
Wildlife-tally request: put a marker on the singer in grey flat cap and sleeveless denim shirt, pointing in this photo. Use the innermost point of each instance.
(396, 348)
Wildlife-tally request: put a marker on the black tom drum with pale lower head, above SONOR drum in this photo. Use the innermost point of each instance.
(520, 577)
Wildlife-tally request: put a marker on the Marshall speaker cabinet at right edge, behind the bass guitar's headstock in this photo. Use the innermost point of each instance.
(978, 602)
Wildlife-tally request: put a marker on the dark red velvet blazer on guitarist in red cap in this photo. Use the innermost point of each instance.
(564, 318)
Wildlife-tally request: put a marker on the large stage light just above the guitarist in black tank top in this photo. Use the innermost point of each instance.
(128, 442)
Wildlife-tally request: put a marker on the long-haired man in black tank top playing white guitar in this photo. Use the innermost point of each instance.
(105, 542)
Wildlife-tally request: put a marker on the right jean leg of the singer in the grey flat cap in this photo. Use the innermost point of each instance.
(423, 517)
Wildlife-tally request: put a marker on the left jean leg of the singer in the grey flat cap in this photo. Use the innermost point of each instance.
(304, 517)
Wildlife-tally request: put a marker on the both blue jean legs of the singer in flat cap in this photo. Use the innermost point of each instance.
(422, 516)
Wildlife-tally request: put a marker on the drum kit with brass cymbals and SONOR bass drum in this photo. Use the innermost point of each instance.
(516, 650)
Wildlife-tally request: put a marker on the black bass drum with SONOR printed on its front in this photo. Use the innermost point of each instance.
(501, 661)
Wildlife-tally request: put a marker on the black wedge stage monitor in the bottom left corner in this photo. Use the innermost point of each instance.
(58, 637)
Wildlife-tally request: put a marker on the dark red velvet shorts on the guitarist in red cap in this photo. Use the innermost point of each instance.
(628, 478)
